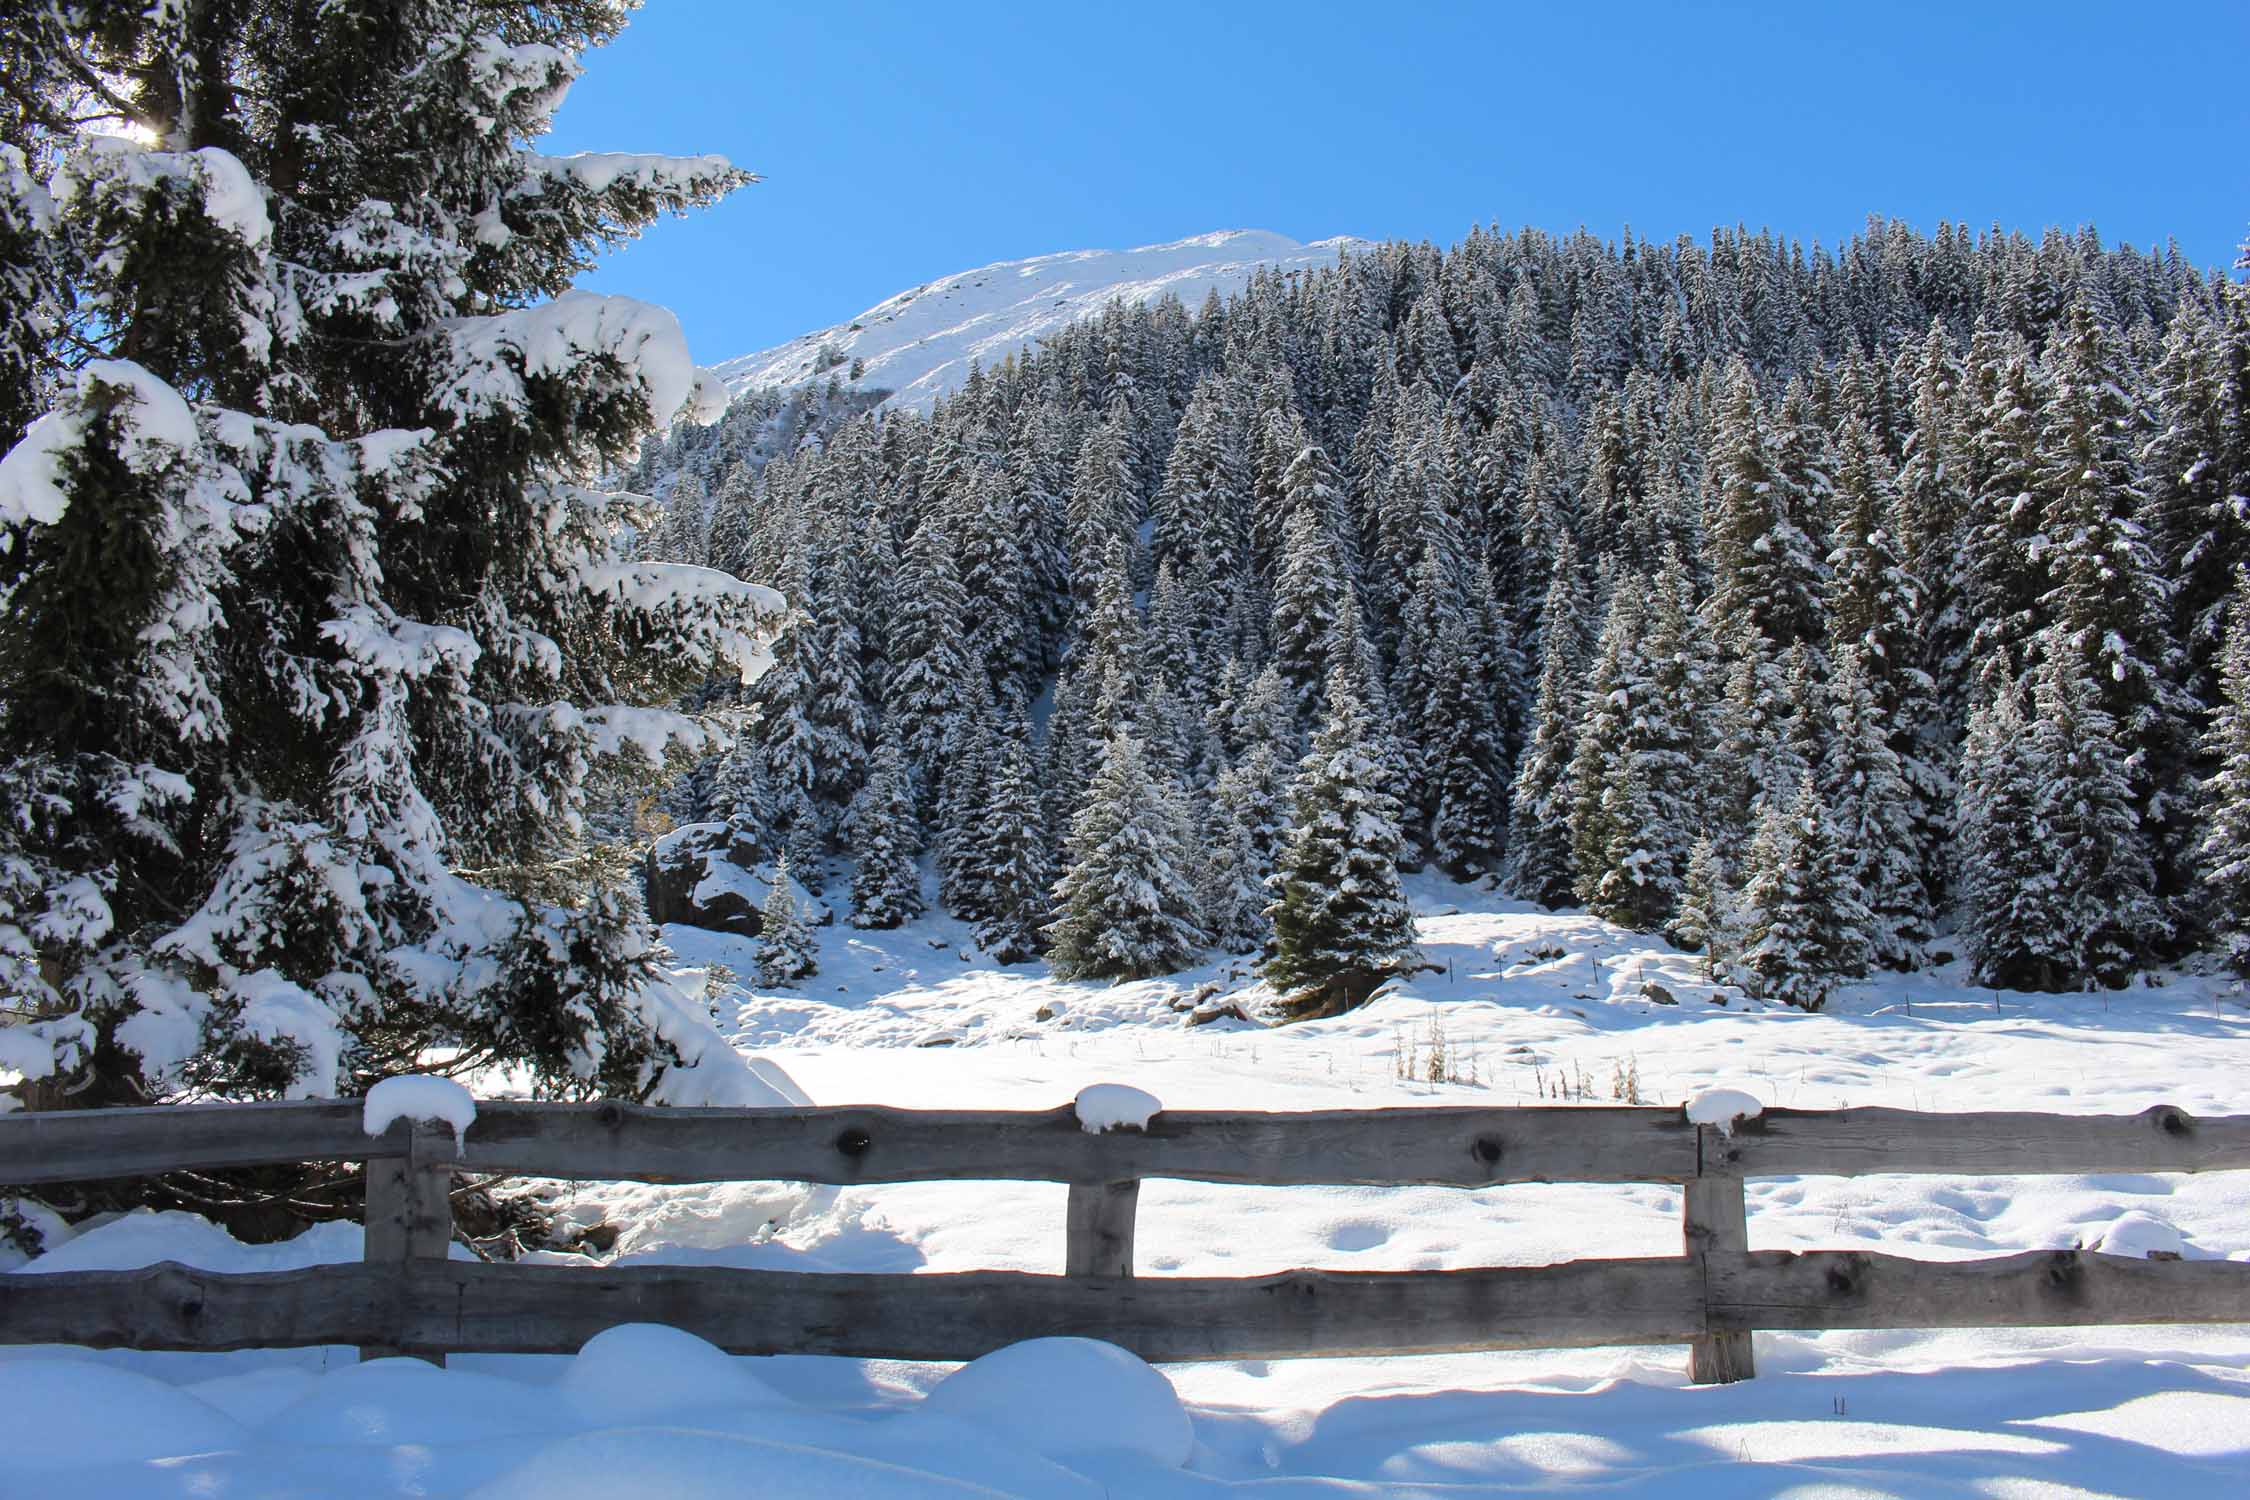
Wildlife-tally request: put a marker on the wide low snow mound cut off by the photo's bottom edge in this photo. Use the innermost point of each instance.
(690, 1465)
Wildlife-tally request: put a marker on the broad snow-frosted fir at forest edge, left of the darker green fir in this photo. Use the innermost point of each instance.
(1124, 907)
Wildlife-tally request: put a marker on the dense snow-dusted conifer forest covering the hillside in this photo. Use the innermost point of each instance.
(1801, 606)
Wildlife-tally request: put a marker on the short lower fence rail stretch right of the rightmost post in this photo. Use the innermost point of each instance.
(1851, 1290)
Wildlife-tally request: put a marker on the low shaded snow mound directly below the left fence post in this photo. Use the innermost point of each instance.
(411, 1402)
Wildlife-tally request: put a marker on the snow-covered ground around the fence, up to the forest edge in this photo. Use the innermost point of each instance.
(1531, 1006)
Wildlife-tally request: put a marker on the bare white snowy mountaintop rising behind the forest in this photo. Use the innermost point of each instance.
(921, 343)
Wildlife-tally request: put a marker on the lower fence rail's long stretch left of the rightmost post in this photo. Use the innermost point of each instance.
(555, 1310)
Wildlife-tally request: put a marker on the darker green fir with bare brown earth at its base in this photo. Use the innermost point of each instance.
(1340, 921)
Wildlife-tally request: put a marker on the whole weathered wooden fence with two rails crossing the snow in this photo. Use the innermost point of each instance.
(406, 1296)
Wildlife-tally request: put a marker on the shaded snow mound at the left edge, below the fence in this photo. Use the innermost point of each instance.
(69, 1413)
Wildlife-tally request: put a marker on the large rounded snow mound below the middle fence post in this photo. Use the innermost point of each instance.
(1070, 1395)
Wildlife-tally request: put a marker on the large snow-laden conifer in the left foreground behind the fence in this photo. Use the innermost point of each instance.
(318, 633)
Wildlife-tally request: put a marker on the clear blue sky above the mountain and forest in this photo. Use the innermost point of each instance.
(901, 143)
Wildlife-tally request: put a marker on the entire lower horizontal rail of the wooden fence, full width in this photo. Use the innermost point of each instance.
(555, 1310)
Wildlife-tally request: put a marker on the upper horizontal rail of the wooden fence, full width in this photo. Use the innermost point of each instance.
(1461, 1148)
